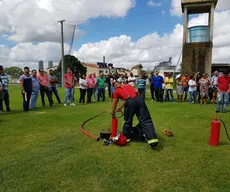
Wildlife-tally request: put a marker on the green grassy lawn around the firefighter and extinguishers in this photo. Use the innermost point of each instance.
(44, 150)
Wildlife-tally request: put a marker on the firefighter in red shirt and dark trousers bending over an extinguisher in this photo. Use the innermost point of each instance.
(134, 105)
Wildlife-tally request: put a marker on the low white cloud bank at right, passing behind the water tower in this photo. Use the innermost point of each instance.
(153, 48)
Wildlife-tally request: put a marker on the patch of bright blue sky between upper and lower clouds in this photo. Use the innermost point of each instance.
(140, 21)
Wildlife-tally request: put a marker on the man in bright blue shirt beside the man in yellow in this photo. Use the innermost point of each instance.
(157, 81)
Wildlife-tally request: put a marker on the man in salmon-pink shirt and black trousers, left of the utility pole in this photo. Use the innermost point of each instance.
(44, 87)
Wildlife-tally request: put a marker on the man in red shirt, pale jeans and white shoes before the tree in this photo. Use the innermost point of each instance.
(69, 86)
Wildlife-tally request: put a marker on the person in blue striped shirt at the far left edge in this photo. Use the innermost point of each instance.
(4, 79)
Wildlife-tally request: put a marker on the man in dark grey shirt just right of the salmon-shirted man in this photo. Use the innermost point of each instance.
(53, 80)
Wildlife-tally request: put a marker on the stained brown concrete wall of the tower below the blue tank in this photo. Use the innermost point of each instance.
(197, 57)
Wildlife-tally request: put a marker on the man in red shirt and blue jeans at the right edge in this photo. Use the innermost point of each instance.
(223, 87)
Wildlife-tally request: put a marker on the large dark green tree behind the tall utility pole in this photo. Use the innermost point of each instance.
(72, 62)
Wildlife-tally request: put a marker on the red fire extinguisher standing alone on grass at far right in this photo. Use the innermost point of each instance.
(215, 132)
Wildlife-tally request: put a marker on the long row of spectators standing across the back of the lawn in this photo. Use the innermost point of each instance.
(196, 88)
